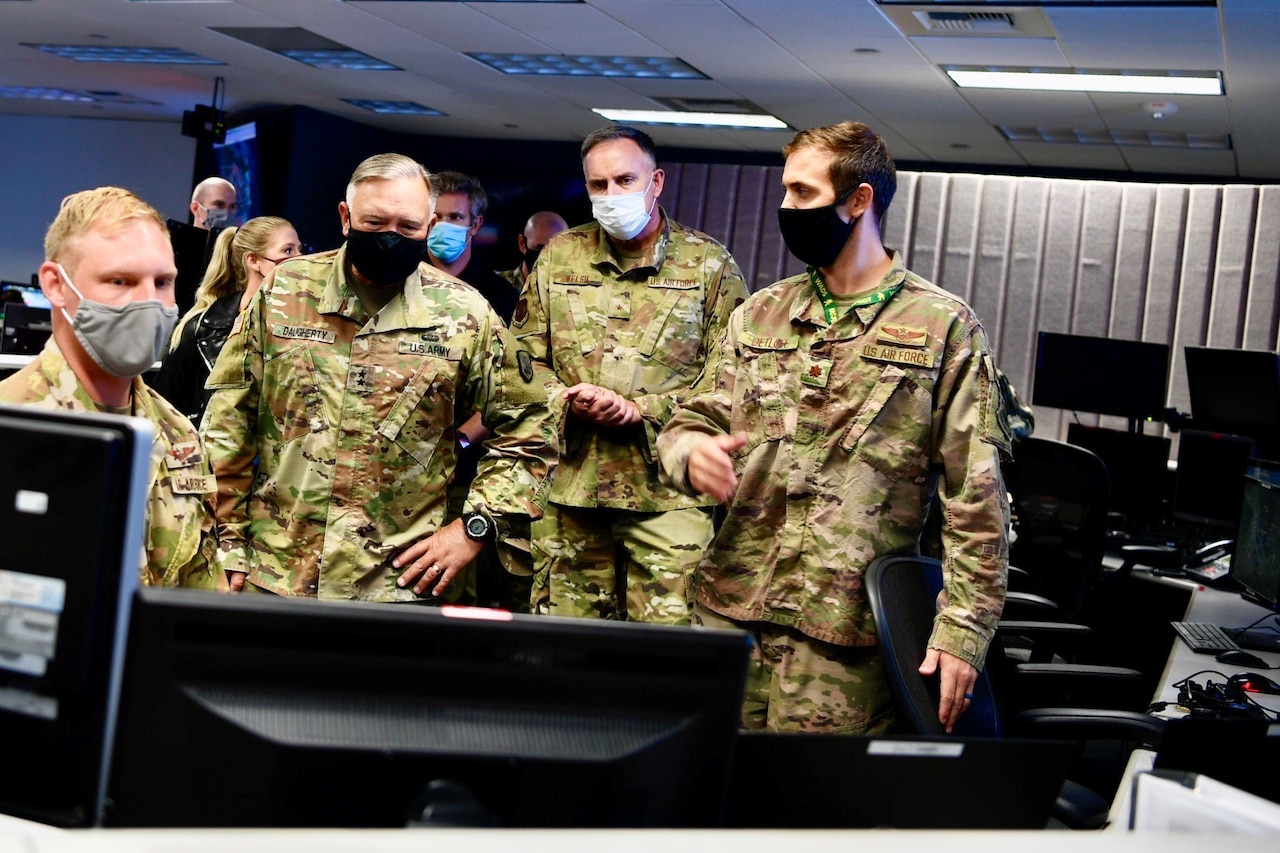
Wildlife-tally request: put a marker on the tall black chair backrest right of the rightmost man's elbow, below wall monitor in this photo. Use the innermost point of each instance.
(1060, 495)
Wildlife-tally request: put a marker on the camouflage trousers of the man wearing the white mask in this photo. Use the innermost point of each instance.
(601, 563)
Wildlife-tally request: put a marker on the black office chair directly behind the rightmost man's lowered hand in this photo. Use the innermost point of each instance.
(903, 594)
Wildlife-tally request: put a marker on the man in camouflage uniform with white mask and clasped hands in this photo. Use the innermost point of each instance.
(624, 311)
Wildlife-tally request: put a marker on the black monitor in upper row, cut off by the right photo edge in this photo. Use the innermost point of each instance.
(1235, 389)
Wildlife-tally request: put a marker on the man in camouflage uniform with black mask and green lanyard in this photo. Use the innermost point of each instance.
(836, 403)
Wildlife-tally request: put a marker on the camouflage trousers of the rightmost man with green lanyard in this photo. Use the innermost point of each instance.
(797, 683)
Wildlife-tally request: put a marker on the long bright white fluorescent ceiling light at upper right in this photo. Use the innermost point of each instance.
(1075, 81)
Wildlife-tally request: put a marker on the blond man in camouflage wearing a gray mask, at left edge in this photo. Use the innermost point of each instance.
(109, 250)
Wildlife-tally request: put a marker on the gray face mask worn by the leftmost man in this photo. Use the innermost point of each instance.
(124, 340)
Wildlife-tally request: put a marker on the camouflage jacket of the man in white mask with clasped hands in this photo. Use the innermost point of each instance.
(643, 329)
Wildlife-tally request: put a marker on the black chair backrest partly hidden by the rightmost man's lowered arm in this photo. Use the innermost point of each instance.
(903, 592)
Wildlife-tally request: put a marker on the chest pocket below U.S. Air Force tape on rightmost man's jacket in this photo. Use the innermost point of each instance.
(892, 430)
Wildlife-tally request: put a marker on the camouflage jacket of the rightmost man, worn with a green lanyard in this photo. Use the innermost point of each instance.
(848, 425)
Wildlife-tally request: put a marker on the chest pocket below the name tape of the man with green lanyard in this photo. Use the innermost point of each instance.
(762, 400)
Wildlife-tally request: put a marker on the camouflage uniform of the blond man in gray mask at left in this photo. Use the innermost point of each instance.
(179, 542)
